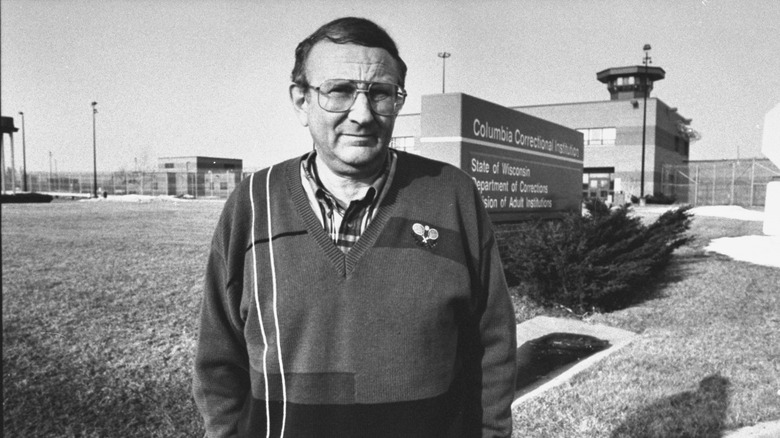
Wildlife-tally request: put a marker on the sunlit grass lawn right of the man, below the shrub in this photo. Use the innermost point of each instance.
(707, 360)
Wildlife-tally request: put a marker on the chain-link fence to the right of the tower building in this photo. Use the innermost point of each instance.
(730, 182)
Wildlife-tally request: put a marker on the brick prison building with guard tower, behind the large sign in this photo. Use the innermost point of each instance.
(612, 133)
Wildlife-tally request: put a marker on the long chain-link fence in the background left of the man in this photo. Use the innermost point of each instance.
(154, 183)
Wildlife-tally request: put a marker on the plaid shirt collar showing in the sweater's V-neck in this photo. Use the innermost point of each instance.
(344, 225)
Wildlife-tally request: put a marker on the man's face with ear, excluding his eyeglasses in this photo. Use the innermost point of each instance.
(353, 143)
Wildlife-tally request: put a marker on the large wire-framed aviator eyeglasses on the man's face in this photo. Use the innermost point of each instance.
(338, 96)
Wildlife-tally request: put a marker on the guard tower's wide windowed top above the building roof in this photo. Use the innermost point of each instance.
(632, 82)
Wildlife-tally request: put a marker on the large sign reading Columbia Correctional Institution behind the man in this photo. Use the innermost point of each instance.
(523, 166)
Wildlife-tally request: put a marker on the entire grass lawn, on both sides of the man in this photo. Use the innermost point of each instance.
(100, 305)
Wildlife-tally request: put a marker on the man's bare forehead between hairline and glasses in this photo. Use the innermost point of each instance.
(328, 60)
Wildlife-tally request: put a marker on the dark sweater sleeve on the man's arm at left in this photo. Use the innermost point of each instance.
(221, 376)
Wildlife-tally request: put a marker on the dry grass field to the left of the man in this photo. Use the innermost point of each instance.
(99, 317)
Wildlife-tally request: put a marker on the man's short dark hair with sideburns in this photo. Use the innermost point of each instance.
(347, 30)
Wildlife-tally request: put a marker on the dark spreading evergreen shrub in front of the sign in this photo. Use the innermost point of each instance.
(601, 260)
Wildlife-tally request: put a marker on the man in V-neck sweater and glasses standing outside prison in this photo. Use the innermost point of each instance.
(355, 291)
